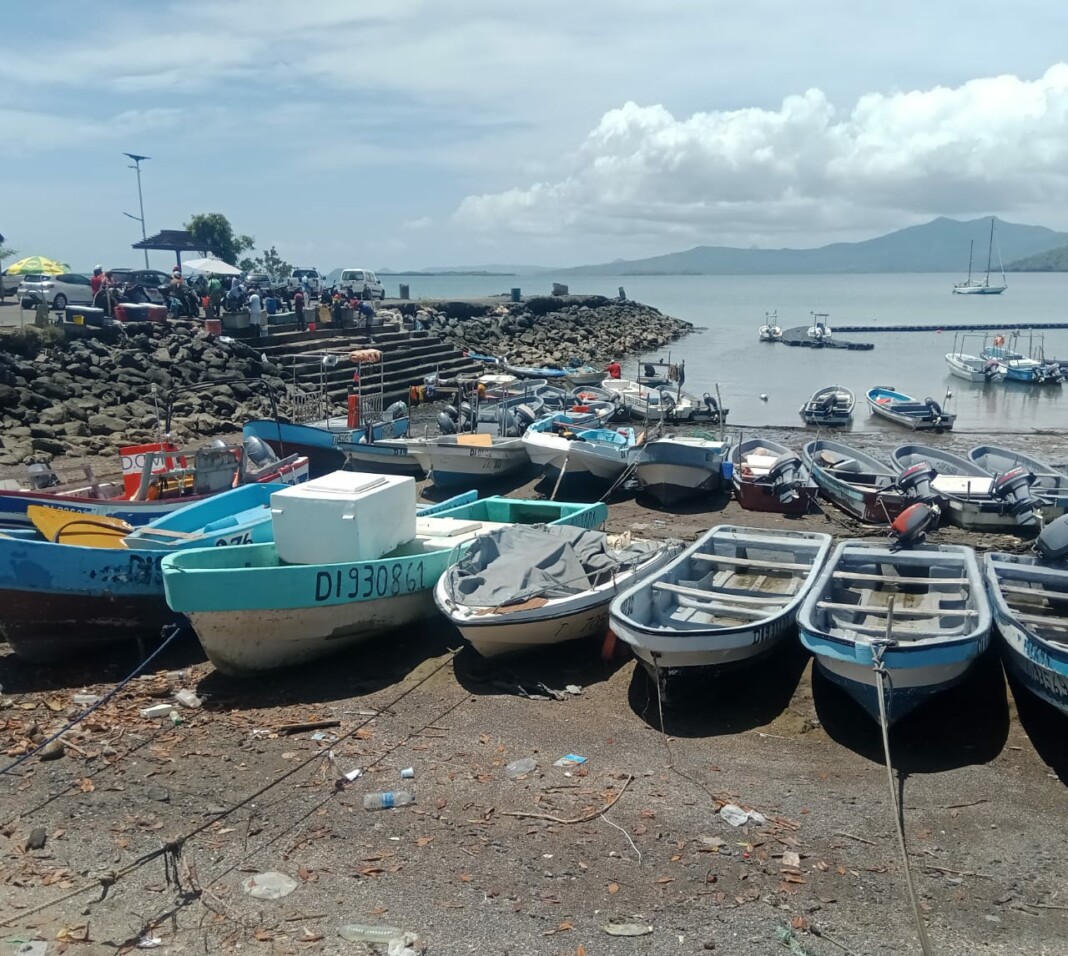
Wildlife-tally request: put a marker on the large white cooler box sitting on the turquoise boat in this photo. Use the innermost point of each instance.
(343, 518)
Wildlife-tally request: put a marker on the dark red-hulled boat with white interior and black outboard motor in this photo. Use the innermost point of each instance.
(769, 477)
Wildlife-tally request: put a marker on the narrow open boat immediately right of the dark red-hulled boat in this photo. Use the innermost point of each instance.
(858, 483)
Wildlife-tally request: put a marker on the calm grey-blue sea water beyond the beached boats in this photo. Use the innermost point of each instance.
(730, 309)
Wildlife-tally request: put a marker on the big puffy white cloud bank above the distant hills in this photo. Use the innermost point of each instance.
(991, 145)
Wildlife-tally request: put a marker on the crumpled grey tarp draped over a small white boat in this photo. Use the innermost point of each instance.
(514, 565)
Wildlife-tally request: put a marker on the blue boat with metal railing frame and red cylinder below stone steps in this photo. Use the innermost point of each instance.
(313, 431)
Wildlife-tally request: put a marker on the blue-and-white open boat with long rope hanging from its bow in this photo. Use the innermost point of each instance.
(941, 621)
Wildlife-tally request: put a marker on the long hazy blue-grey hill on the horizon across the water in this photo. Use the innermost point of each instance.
(939, 246)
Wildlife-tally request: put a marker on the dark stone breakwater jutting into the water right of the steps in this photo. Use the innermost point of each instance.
(555, 330)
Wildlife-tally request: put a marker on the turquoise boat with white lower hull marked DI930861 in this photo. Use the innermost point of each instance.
(254, 614)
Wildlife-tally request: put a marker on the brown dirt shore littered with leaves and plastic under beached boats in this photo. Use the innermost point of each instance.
(478, 865)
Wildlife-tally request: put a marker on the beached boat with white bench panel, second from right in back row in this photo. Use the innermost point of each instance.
(969, 496)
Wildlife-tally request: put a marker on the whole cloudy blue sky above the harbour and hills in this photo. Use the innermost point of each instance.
(409, 133)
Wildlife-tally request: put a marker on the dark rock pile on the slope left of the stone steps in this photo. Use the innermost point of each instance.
(92, 396)
